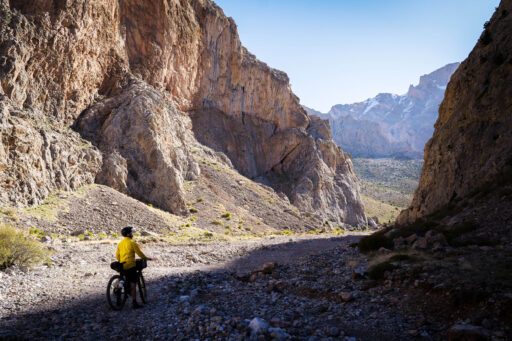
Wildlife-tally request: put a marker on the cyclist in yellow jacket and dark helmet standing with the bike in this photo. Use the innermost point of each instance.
(125, 253)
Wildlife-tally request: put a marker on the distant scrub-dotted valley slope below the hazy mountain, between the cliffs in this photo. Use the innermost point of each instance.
(387, 185)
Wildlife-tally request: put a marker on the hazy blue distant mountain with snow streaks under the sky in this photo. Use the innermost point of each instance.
(390, 125)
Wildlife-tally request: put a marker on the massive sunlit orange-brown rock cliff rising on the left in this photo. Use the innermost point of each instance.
(143, 81)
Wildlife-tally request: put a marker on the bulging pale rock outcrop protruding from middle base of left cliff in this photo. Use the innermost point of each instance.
(145, 142)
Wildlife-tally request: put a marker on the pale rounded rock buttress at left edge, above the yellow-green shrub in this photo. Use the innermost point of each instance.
(37, 158)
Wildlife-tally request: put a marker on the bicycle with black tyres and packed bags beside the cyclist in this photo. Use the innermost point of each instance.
(117, 288)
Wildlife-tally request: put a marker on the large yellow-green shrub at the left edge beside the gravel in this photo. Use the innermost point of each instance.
(16, 249)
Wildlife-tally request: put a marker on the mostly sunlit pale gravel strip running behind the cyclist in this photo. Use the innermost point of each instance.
(87, 264)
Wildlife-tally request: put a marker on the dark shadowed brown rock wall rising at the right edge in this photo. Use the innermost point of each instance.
(472, 142)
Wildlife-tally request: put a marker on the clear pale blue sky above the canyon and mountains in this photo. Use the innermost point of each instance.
(345, 51)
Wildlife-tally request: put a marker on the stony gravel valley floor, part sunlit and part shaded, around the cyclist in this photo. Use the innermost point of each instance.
(318, 290)
